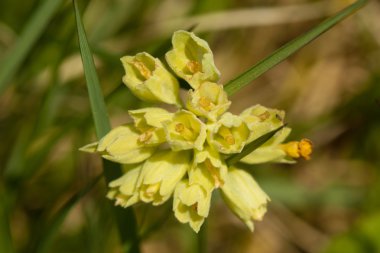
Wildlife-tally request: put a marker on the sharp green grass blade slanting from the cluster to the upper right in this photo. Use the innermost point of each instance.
(288, 49)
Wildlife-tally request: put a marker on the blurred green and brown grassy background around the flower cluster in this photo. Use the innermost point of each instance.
(330, 91)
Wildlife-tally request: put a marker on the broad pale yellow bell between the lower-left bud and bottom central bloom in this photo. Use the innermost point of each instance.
(160, 174)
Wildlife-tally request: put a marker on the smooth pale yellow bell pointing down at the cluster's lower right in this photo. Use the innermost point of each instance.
(244, 196)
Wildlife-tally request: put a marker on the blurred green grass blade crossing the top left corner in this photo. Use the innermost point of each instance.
(34, 27)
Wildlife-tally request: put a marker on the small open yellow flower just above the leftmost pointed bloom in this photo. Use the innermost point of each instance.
(149, 122)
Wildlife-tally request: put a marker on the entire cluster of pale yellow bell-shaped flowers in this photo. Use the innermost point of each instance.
(183, 154)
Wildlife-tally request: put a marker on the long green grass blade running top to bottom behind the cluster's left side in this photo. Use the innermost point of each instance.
(125, 218)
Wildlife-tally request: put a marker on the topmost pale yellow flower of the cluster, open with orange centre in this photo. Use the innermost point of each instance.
(191, 59)
